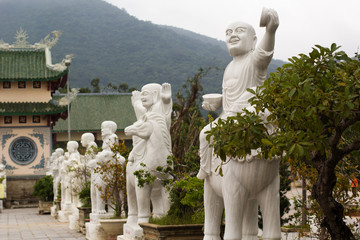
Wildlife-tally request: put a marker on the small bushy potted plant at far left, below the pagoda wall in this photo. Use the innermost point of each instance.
(43, 189)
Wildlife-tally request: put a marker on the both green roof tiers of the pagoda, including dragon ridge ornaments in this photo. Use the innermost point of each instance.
(22, 61)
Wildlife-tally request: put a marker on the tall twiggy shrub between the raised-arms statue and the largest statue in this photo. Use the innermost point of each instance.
(187, 123)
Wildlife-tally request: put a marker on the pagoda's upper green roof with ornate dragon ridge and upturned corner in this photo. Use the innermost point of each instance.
(22, 61)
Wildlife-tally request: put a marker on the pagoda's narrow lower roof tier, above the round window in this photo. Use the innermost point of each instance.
(30, 108)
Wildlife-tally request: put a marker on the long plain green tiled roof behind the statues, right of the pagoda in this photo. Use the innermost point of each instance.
(88, 111)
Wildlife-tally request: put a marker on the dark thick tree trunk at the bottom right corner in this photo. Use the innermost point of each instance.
(332, 210)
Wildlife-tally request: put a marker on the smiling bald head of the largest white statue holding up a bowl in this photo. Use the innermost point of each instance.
(240, 38)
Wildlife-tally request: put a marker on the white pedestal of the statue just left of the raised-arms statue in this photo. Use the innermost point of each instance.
(94, 231)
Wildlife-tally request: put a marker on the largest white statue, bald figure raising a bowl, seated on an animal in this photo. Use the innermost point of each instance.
(245, 183)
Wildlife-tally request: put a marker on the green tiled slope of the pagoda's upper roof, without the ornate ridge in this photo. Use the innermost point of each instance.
(26, 65)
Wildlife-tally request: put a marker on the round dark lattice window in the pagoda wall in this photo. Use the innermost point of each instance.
(23, 150)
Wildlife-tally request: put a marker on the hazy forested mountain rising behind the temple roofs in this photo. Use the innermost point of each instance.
(113, 46)
